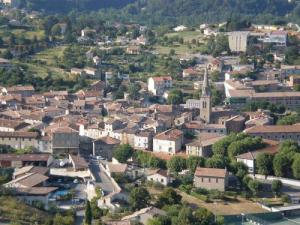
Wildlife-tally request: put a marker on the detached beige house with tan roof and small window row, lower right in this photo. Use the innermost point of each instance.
(211, 178)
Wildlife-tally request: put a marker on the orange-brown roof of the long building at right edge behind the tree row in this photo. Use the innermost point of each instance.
(274, 129)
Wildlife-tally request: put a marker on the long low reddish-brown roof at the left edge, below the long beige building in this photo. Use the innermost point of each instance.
(25, 157)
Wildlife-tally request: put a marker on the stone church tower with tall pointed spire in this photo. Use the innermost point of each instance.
(205, 100)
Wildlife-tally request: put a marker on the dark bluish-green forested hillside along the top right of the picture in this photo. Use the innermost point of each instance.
(195, 11)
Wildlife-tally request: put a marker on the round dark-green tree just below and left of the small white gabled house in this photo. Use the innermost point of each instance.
(139, 198)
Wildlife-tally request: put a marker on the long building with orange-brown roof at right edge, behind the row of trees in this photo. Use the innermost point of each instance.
(276, 132)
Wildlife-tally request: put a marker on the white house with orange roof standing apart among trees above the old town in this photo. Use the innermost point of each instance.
(158, 85)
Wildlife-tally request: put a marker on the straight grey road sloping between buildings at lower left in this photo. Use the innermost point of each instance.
(102, 180)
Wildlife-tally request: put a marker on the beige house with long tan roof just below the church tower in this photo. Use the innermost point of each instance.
(202, 146)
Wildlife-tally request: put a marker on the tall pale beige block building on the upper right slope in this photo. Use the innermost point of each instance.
(238, 41)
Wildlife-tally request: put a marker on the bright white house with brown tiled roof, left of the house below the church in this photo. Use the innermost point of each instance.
(169, 141)
